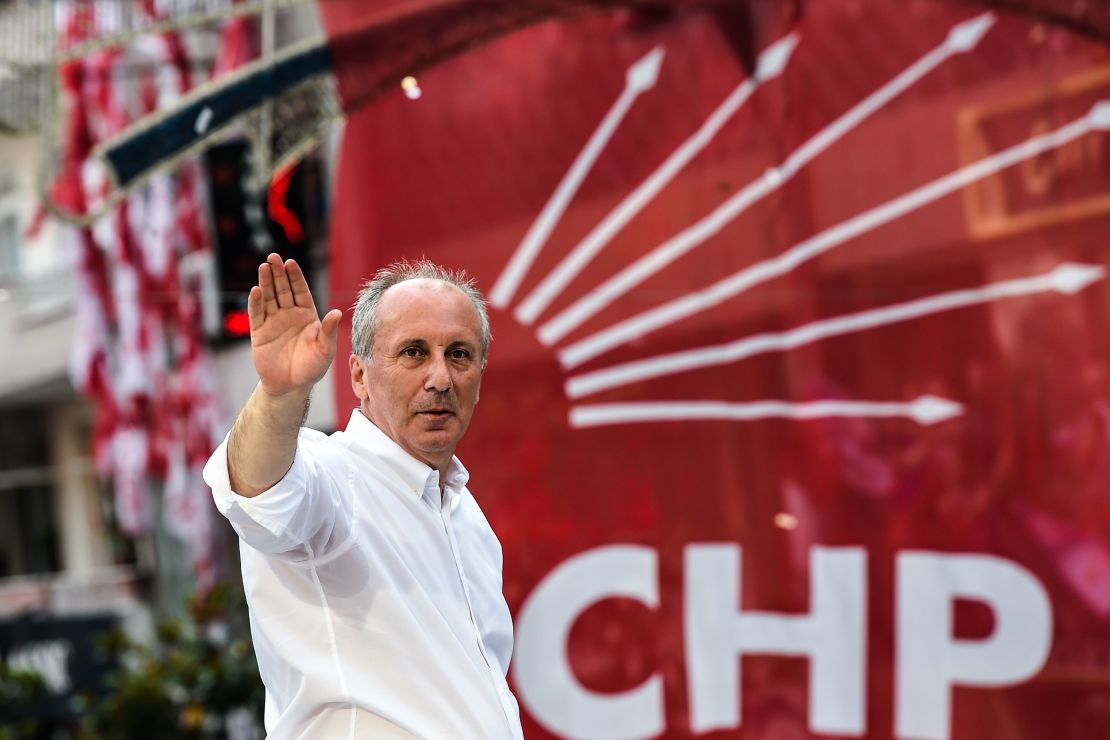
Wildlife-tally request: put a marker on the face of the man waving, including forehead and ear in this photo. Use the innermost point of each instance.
(422, 381)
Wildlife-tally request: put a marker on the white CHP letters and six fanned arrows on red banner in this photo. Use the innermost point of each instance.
(718, 631)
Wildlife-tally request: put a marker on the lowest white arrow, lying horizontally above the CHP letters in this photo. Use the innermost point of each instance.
(925, 411)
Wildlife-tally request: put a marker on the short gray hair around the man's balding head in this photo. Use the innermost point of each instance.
(365, 322)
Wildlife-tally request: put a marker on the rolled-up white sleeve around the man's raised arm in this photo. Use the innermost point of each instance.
(281, 519)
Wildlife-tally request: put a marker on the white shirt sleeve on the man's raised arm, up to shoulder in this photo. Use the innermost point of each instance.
(301, 516)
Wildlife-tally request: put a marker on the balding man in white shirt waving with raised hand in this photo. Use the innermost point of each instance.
(372, 576)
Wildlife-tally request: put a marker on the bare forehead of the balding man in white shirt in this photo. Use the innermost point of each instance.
(425, 309)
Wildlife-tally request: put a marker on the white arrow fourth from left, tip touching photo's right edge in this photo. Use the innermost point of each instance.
(669, 313)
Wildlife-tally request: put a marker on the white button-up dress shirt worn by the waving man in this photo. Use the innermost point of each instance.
(376, 604)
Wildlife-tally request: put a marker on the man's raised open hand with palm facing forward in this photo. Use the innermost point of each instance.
(291, 347)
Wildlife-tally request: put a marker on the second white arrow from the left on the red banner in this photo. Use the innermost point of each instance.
(772, 64)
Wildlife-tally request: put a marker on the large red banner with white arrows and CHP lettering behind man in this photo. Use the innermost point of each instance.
(798, 415)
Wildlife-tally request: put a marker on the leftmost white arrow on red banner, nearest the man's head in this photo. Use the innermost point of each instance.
(640, 78)
